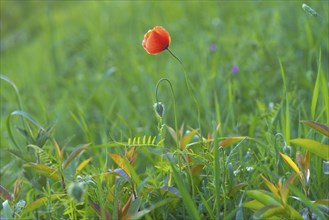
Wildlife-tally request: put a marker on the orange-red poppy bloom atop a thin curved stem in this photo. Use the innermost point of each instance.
(156, 40)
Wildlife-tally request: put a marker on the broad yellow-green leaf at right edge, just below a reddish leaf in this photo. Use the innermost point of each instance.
(321, 150)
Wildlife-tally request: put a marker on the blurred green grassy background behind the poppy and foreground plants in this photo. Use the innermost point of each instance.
(79, 65)
